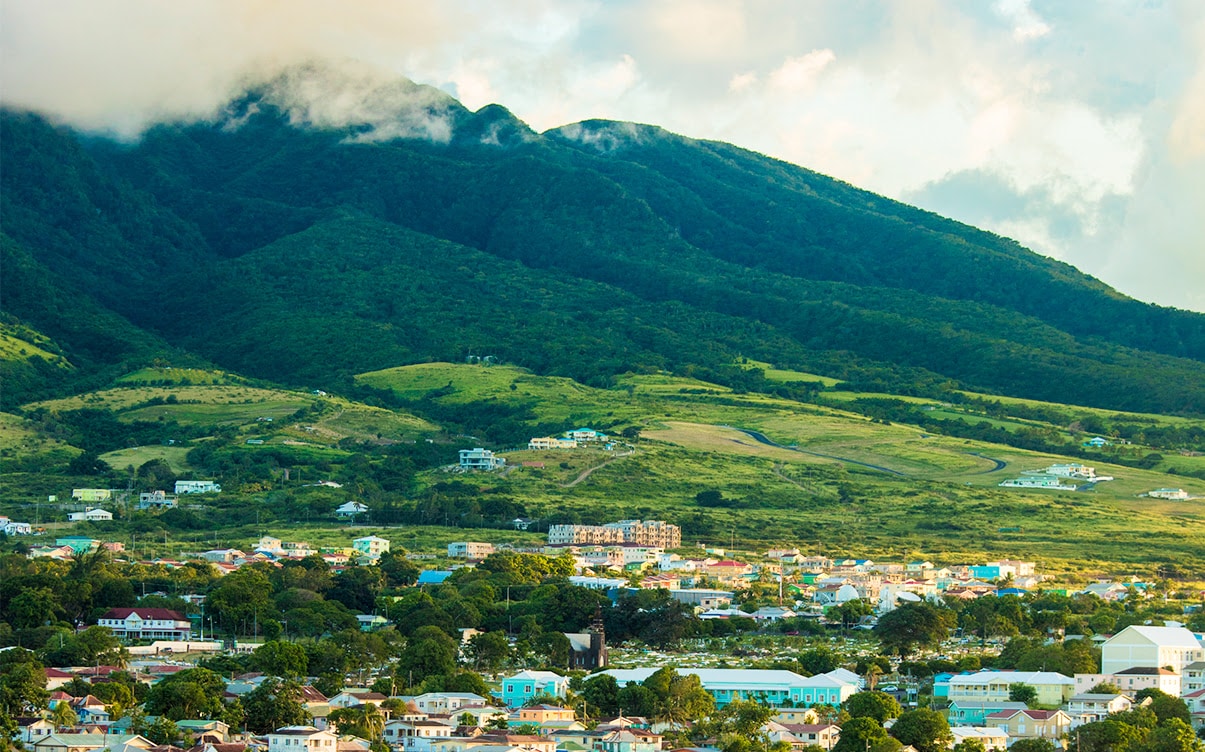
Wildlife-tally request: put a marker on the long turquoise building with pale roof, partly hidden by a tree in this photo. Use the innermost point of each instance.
(777, 688)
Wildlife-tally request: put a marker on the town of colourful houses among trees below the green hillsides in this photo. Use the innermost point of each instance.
(610, 638)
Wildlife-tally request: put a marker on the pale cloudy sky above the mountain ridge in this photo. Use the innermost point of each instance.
(1077, 128)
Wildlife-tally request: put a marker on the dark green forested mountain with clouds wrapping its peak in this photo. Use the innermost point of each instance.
(298, 239)
